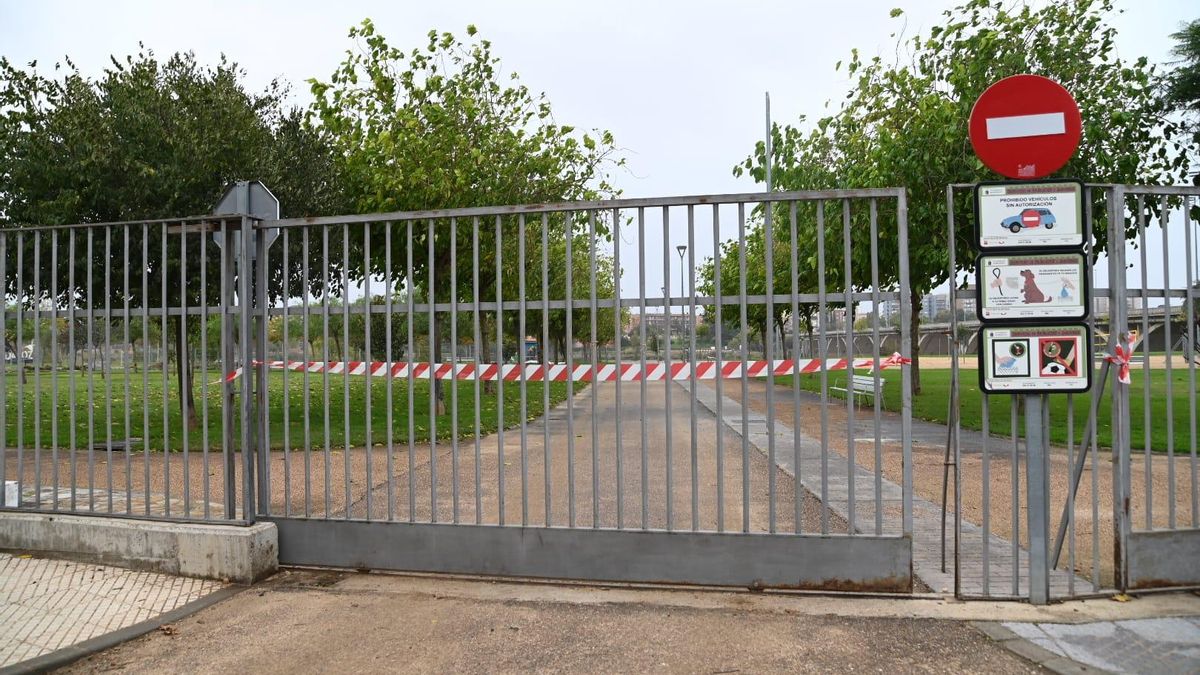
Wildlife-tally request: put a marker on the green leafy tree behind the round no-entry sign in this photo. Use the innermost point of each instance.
(904, 124)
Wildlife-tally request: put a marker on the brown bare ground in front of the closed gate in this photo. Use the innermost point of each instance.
(322, 623)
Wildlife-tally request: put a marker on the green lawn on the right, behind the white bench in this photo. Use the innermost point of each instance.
(932, 405)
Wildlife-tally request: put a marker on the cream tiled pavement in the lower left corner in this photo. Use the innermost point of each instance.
(50, 605)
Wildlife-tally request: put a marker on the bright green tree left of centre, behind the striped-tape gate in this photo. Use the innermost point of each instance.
(434, 128)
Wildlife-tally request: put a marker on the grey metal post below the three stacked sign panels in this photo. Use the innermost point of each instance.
(1039, 493)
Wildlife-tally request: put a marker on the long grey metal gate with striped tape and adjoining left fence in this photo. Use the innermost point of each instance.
(603, 391)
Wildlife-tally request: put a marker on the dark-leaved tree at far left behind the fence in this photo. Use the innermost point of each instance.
(147, 140)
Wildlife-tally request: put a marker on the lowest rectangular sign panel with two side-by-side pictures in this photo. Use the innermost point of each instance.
(1035, 360)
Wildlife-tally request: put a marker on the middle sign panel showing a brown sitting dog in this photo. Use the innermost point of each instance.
(1033, 286)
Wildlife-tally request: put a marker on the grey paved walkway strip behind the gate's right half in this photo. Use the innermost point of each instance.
(826, 474)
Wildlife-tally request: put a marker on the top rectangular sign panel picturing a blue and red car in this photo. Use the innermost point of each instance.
(1030, 216)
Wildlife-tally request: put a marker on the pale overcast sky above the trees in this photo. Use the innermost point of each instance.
(681, 85)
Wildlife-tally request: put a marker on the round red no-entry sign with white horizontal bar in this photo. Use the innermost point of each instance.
(1025, 127)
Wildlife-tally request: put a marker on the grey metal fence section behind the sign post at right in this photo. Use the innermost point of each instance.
(1124, 470)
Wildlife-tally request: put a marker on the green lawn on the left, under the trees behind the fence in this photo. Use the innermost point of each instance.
(149, 403)
